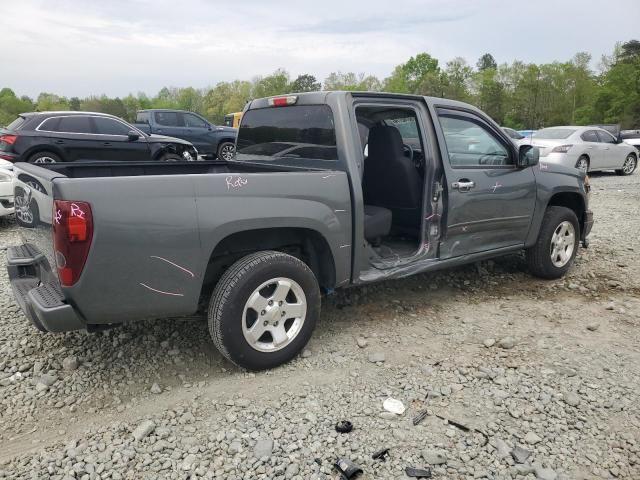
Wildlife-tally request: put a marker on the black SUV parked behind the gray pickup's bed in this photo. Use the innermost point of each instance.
(49, 137)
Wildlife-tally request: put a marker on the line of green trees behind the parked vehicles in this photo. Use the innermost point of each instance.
(518, 95)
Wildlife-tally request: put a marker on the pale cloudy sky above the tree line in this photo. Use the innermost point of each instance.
(116, 47)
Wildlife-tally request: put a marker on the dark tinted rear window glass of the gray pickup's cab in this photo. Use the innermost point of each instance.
(296, 135)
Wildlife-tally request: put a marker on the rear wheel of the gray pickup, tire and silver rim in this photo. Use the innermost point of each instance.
(264, 309)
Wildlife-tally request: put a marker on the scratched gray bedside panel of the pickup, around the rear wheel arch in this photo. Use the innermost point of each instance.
(154, 235)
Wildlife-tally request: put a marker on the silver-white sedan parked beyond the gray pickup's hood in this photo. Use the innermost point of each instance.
(587, 148)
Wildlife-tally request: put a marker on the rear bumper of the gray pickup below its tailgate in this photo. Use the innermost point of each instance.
(42, 302)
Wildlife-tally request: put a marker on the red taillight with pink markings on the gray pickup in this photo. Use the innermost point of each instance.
(72, 234)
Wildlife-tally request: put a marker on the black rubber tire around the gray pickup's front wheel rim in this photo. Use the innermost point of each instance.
(539, 256)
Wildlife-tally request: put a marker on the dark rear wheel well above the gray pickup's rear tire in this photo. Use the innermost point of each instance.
(306, 244)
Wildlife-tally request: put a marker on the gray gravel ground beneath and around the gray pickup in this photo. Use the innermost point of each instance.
(547, 371)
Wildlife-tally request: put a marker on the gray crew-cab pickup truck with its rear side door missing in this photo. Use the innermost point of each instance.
(327, 190)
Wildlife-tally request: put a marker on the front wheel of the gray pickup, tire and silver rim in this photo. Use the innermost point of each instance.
(557, 243)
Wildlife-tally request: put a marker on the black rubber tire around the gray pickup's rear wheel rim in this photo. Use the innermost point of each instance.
(227, 304)
